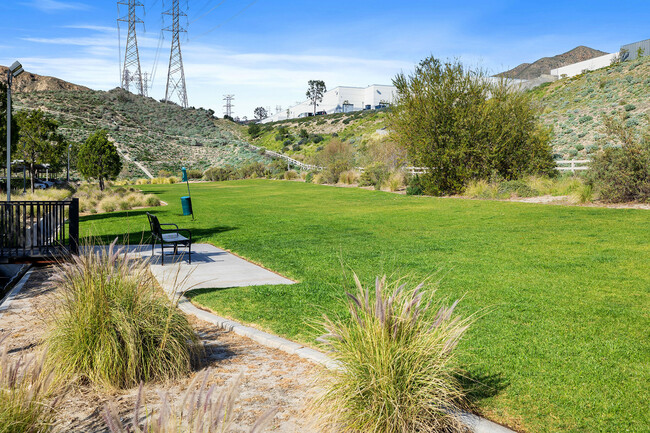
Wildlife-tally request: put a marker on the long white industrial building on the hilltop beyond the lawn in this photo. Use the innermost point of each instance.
(342, 99)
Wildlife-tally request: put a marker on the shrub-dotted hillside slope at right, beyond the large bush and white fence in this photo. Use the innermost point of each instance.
(575, 106)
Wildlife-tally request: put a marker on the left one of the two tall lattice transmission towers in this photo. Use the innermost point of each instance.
(131, 72)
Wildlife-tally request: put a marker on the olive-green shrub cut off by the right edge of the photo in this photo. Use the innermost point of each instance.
(622, 173)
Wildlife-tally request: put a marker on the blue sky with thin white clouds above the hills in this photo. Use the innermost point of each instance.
(265, 51)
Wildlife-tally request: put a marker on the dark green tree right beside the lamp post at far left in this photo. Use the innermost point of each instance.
(39, 142)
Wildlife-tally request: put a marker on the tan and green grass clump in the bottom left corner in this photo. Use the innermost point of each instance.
(25, 388)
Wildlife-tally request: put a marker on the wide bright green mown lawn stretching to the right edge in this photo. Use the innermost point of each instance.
(564, 344)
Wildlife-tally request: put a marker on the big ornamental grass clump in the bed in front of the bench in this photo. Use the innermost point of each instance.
(113, 326)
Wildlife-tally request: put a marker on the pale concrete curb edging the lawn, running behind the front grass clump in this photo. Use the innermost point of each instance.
(476, 423)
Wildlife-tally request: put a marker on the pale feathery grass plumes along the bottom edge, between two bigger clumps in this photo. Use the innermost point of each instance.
(201, 410)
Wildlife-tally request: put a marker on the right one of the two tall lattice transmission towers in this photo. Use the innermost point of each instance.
(176, 73)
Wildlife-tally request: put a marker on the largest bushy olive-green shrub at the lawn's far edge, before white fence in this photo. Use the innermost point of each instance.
(462, 126)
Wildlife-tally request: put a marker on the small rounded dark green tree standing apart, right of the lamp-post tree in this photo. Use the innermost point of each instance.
(98, 158)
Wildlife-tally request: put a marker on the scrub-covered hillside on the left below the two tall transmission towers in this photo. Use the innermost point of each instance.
(159, 136)
